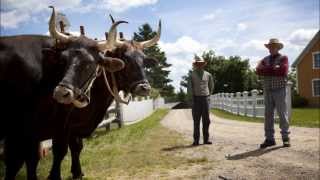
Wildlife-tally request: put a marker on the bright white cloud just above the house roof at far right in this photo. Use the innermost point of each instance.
(301, 37)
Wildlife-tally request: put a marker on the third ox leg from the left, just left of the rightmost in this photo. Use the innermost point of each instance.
(59, 150)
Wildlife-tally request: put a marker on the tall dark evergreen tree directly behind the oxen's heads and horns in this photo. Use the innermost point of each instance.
(157, 74)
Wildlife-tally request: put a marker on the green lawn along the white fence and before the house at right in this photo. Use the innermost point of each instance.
(303, 117)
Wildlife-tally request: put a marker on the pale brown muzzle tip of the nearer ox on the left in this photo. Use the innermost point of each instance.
(63, 95)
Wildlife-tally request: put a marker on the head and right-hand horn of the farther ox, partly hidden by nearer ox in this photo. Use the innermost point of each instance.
(132, 78)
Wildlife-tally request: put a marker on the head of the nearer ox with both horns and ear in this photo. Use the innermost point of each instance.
(84, 57)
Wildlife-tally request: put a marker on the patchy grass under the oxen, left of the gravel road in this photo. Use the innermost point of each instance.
(135, 151)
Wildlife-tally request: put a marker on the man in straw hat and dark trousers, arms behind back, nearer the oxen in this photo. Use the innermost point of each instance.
(200, 87)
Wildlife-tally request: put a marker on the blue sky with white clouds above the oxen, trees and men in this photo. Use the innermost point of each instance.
(229, 27)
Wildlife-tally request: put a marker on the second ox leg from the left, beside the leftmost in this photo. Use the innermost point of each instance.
(32, 159)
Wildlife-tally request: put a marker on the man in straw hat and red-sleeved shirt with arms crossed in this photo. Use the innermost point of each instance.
(274, 70)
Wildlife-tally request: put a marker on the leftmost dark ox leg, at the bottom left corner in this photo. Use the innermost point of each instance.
(13, 158)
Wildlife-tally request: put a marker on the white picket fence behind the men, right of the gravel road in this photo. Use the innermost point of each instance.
(241, 104)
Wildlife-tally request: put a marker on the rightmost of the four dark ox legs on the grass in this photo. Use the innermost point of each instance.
(76, 145)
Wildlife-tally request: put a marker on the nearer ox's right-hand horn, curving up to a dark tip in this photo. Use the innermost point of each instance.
(112, 42)
